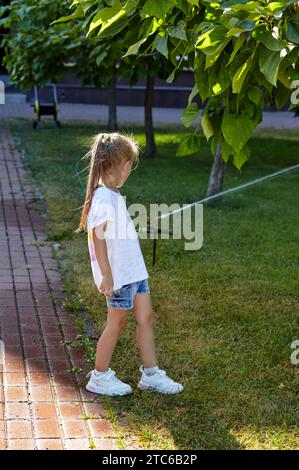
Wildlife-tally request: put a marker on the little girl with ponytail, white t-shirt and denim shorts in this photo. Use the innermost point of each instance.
(118, 267)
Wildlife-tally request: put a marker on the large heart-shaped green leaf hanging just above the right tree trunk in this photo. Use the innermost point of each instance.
(237, 130)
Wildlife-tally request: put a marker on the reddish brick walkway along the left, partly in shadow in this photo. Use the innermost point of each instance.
(41, 404)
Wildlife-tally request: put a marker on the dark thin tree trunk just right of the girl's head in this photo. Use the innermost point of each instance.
(150, 148)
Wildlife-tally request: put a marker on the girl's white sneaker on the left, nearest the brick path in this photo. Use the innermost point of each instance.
(107, 384)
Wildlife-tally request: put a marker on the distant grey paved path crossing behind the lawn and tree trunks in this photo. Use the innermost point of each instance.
(132, 114)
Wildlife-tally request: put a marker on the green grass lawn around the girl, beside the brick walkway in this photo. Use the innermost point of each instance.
(226, 314)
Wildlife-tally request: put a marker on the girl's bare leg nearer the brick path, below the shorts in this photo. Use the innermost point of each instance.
(116, 320)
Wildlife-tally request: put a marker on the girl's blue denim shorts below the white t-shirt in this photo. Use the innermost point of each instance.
(123, 298)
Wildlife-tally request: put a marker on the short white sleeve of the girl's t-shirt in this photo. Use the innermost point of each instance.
(101, 210)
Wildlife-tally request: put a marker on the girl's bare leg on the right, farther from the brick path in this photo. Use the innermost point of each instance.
(145, 336)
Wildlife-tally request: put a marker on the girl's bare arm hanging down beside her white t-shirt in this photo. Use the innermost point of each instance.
(106, 286)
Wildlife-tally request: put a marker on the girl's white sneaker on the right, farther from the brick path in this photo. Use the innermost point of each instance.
(159, 382)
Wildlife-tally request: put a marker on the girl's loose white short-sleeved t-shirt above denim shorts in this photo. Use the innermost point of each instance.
(123, 248)
